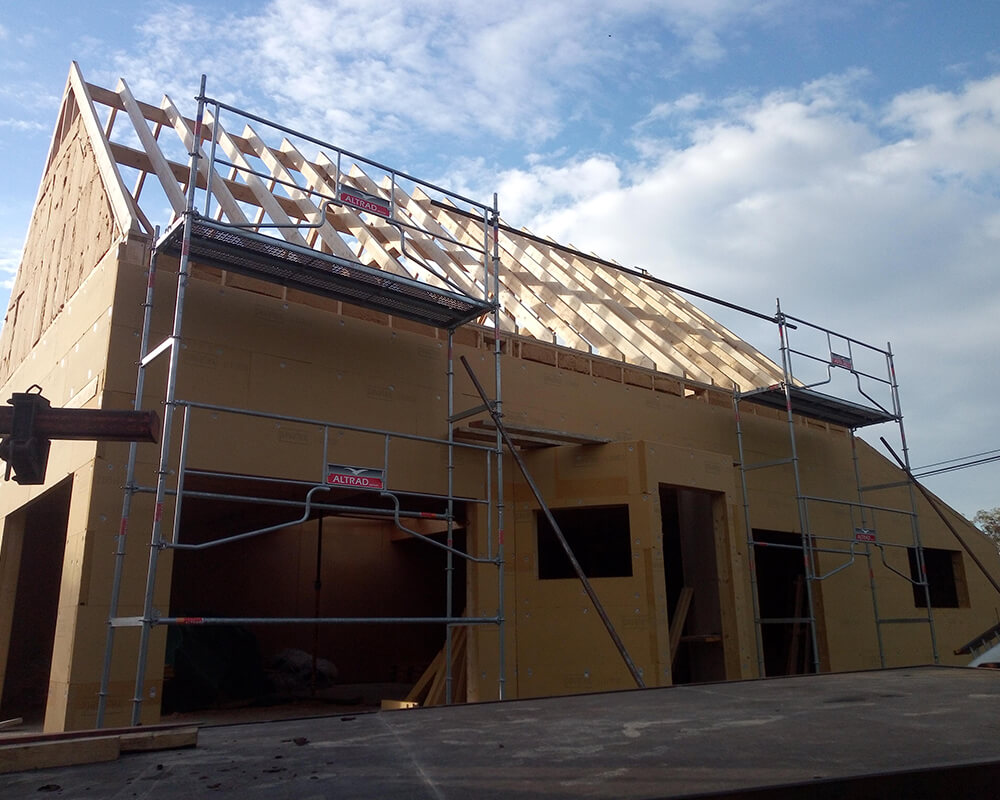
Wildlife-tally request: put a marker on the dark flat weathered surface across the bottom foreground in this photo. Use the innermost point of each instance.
(917, 732)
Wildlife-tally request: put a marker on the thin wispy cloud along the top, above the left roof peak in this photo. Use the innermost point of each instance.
(516, 73)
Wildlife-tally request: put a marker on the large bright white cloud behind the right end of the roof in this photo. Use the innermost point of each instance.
(882, 223)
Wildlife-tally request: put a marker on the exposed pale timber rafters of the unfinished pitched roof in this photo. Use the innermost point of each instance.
(269, 181)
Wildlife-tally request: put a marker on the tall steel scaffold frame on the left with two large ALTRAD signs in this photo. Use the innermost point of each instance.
(413, 300)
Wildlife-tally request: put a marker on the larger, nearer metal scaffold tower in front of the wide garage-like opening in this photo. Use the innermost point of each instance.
(222, 235)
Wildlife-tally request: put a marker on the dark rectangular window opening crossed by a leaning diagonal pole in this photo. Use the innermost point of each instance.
(598, 537)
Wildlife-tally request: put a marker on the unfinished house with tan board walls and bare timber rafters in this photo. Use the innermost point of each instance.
(423, 448)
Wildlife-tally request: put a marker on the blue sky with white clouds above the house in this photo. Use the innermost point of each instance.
(842, 156)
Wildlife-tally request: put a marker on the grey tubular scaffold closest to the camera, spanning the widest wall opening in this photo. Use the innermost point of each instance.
(187, 241)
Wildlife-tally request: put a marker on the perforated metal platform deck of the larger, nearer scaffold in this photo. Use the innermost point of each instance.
(308, 270)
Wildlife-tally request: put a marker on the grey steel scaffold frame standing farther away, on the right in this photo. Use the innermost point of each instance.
(795, 397)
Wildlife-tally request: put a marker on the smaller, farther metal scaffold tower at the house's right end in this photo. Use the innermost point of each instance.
(849, 366)
